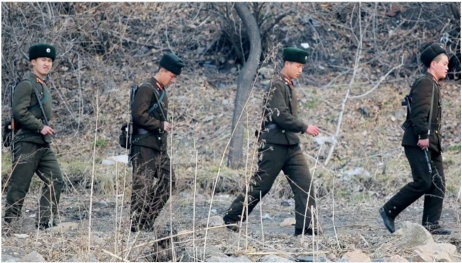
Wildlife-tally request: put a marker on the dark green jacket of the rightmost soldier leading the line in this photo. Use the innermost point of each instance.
(421, 93)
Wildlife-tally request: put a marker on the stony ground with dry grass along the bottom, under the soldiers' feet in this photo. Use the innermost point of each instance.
(350, 231)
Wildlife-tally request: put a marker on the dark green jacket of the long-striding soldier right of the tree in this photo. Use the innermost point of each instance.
(281, 109)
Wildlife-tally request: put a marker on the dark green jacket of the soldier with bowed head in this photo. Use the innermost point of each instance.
(147, 95)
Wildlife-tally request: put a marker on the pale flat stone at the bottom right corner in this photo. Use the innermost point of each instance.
(439, 252)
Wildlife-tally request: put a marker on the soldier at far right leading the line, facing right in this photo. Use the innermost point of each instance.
(422, 146)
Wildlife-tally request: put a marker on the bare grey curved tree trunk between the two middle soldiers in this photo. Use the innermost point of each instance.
(244, 84)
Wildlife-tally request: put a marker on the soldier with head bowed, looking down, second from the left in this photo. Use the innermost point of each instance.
(151, 162)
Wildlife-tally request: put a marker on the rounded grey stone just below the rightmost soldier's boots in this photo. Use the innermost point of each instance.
(414, 235)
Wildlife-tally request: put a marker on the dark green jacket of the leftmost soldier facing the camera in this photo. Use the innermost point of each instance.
(26, 110)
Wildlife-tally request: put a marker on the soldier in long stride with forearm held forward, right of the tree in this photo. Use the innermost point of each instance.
(280, 149)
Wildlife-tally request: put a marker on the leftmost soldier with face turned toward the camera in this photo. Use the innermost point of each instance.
(32, 152)
